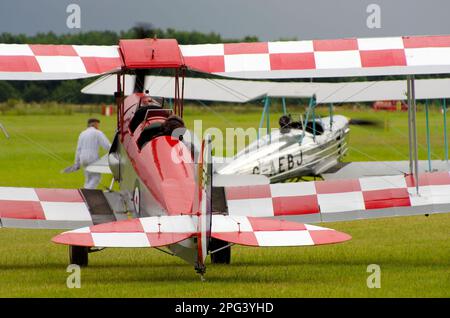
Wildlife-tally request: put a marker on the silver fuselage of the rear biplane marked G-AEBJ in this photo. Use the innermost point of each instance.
(293, 153)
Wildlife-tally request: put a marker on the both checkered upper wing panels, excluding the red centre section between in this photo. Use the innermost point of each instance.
(289, 59)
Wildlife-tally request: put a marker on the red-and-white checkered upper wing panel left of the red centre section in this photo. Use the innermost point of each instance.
(56, 62)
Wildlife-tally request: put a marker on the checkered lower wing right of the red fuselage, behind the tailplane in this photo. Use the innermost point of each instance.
(339, 200)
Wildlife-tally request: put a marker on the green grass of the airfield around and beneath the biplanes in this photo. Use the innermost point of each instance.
(413, 252)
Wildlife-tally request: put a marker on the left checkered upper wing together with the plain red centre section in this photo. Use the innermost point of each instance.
(60, 62)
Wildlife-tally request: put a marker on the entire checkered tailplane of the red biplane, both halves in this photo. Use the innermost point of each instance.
(166, 230)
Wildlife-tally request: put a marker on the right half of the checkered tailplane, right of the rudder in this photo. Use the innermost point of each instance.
(269, 232)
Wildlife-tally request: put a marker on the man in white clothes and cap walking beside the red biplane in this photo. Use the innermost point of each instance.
(89, 142)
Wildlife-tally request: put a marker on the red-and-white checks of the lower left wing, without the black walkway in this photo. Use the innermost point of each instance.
(43, 204)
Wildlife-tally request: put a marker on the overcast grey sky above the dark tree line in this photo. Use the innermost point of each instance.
(269, 20)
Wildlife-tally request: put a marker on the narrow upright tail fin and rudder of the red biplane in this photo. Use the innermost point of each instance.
(205, 173)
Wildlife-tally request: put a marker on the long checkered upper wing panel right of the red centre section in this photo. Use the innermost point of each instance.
(323, 58)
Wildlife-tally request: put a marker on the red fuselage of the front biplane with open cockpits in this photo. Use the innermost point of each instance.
(160, 165)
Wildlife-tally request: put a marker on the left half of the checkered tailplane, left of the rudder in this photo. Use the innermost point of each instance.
(142, 232)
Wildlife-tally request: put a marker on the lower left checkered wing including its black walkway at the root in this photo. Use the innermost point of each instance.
(53, 208)
